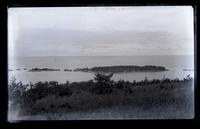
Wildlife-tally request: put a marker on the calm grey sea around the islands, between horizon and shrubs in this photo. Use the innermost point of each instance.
(175, 64)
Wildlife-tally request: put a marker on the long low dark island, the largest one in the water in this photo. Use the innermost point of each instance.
(119, 69)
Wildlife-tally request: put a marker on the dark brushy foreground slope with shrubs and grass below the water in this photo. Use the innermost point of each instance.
(101, 92)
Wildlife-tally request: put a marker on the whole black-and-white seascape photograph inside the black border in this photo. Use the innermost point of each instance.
(101, 63)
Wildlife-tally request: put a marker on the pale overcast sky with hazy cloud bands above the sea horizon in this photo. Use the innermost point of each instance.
(100, 31)
